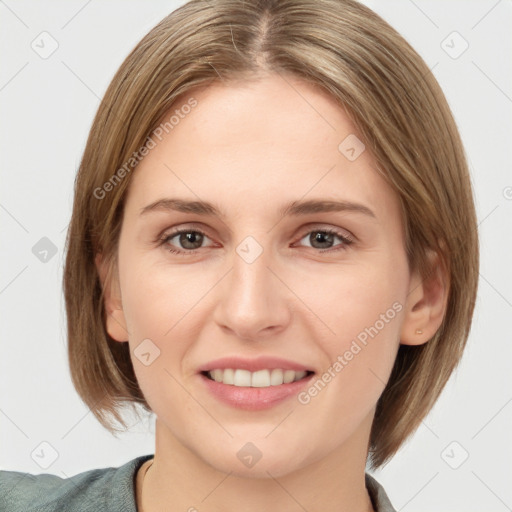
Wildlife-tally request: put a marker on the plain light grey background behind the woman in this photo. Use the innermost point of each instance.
(47, 106)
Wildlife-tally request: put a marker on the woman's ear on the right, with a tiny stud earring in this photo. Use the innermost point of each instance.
(426, 303)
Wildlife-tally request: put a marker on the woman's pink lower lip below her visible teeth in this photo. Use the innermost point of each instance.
(254, 399)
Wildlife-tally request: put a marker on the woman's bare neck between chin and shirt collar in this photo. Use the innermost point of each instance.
(180, 480)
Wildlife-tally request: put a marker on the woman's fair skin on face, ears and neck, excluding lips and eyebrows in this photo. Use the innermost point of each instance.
(250, 149)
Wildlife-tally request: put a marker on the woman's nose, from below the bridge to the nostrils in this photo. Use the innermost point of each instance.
(254, 302)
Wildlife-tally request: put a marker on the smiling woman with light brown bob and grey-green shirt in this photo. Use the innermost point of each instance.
(273, 248)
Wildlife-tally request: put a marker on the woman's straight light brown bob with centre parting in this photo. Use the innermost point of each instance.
(394, 101)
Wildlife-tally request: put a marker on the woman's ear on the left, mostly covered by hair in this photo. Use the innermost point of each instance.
(116, 322)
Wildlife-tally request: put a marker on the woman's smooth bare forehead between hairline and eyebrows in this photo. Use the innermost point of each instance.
(249, 144)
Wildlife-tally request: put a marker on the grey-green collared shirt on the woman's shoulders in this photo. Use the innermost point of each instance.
(101, 490)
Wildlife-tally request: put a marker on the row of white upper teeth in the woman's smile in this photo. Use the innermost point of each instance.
(259, 379)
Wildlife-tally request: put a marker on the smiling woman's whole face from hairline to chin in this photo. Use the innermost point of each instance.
(296, 263)
